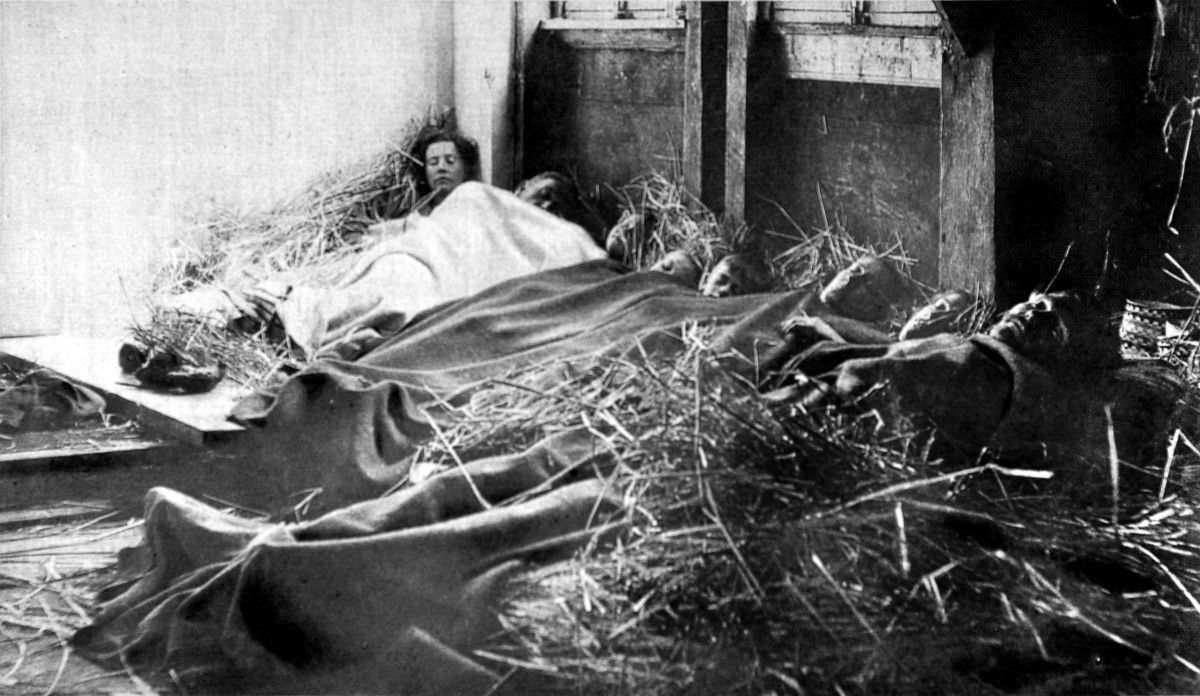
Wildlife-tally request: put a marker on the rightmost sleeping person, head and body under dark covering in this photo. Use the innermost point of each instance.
(1042, 374)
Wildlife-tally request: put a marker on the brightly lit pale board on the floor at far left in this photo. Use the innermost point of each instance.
(195, 418)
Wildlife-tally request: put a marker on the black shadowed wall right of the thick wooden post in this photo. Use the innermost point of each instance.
(1079, 160)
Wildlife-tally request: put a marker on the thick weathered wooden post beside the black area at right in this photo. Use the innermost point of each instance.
(967, 254)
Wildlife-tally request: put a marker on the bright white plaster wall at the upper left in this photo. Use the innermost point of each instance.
(116, 117)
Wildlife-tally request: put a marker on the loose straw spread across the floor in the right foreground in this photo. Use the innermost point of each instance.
(777, 553)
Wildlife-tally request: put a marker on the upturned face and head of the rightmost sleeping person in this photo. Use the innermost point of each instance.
(1040, 328)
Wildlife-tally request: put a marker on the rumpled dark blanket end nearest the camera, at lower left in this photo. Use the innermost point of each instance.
(388, 593)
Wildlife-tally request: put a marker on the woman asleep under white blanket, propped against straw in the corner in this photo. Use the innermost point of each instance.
(471, 237)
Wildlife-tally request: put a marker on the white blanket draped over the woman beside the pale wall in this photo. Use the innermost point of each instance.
(478, 237)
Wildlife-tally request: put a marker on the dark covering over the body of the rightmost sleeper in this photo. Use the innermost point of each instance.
(975, 393)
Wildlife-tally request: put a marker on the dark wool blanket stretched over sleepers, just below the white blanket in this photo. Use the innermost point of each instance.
(350, 428)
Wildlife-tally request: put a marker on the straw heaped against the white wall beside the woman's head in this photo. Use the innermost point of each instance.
(310, 238)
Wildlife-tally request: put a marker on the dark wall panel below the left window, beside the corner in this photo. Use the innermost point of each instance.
(604, 105)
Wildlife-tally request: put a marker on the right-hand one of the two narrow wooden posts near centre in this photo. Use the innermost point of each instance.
(737, 52)
